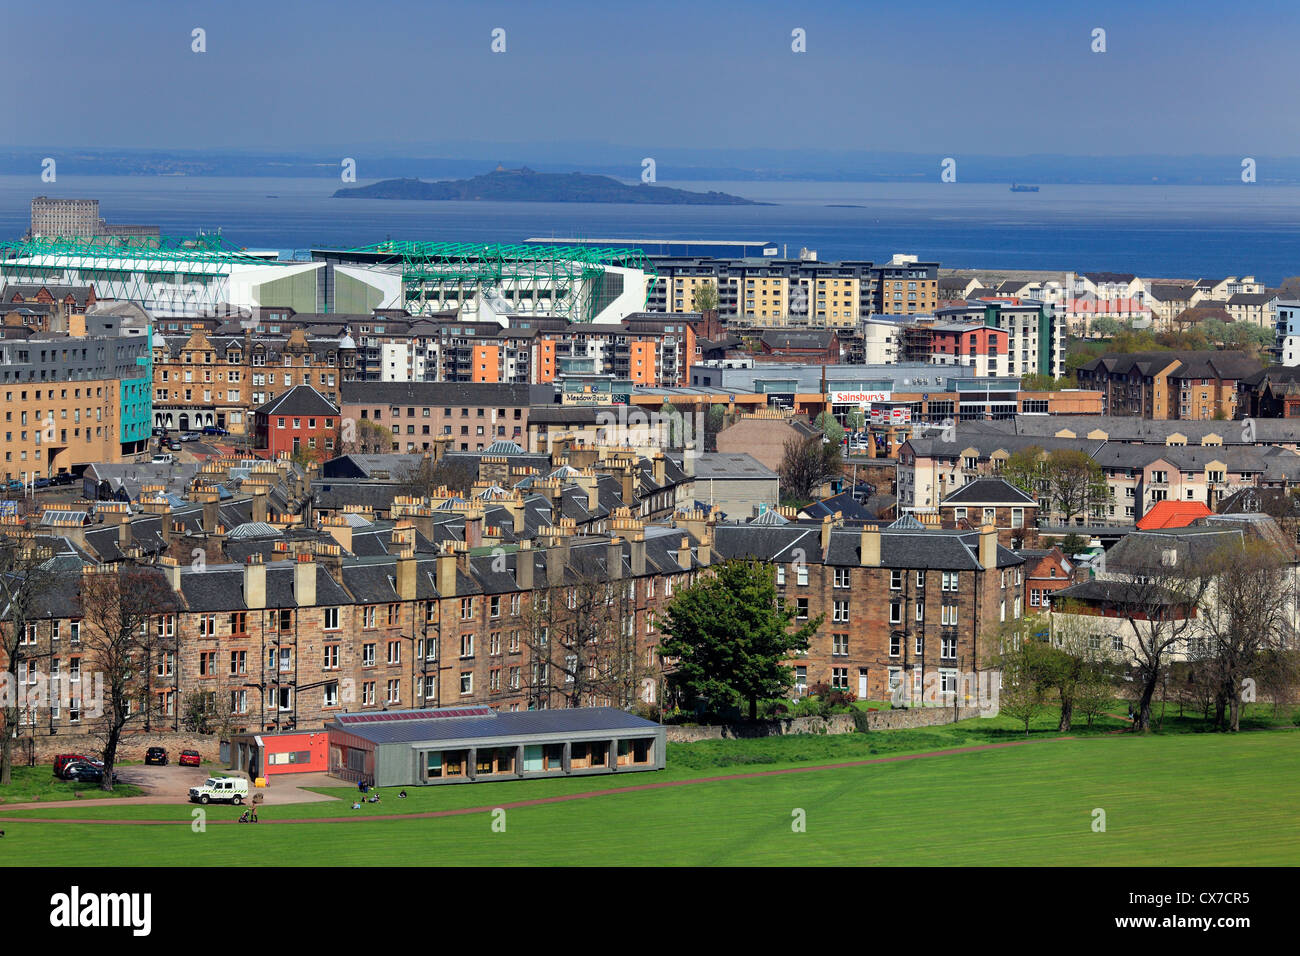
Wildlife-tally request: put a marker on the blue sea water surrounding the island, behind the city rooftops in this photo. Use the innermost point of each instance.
(1152, 231)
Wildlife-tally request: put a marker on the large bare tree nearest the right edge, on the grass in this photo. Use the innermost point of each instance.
(1246, 617)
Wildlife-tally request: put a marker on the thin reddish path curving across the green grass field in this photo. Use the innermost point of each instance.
(539, 802)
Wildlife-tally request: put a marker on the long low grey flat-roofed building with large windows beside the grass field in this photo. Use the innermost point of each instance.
(475, 743)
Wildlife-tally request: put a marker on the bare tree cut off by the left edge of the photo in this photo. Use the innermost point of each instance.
(27, 579)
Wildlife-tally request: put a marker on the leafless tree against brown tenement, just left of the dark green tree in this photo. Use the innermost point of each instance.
(583, 644)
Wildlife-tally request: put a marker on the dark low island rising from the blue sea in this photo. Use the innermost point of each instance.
(528, 187)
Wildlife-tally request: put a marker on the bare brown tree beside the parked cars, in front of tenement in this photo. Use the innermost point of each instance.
(122, 608)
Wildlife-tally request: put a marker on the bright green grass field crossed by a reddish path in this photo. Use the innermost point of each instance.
(1171, 799)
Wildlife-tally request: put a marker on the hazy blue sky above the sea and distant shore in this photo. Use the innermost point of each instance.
(991, 79)
